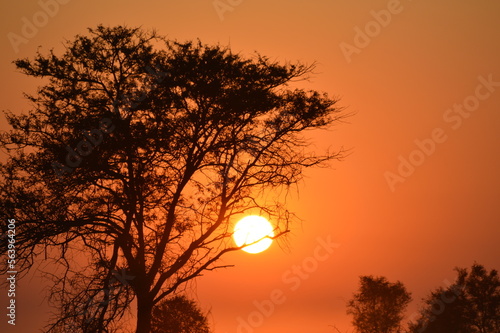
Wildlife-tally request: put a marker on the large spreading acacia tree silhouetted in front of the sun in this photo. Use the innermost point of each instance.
(138, 154)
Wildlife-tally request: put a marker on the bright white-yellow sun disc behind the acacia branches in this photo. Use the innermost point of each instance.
(254, 230)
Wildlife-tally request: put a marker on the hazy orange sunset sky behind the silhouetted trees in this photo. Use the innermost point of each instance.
(419, 193)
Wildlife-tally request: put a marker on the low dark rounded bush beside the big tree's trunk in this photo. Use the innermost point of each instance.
(178, 315)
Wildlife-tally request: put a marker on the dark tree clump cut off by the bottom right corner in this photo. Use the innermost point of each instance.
(470, 305)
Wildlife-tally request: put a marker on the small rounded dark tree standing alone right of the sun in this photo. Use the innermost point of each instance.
(378, 306)
